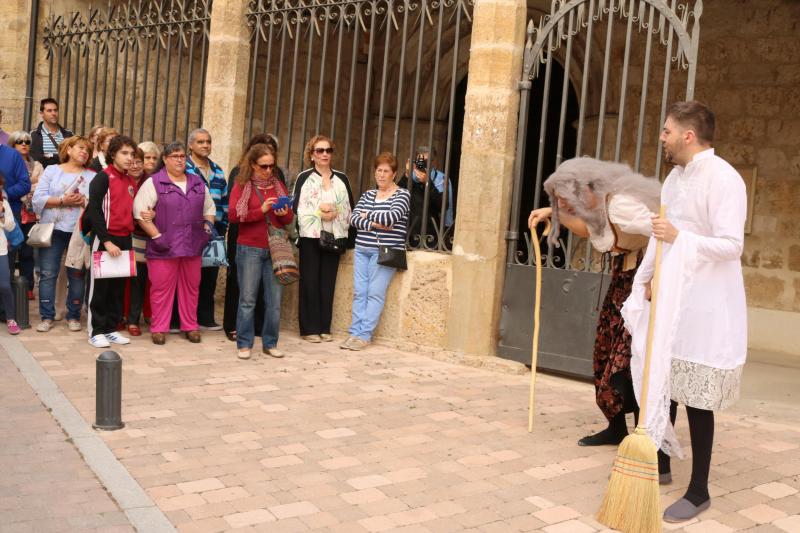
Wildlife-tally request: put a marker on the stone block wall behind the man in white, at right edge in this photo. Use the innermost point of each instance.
(749, 72)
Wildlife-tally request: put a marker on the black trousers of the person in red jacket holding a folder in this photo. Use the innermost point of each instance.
(106, 295)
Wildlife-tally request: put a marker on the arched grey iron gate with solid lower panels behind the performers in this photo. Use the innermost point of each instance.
(617, 113)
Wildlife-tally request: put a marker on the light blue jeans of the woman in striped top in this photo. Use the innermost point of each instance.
(370, 282)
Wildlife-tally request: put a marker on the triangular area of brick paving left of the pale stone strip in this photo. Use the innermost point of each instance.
(44, 483)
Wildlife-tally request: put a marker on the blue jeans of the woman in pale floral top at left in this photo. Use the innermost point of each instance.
(49, 265)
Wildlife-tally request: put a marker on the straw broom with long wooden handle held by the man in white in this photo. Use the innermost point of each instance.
(632, 502)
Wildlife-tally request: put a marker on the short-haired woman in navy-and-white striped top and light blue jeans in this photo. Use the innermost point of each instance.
(381, 217)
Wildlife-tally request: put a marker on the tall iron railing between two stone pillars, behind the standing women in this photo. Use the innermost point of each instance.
(374, 75)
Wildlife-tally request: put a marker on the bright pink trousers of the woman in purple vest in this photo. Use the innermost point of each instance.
(165, 275)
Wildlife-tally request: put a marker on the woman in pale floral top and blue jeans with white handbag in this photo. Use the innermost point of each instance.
(61, 193)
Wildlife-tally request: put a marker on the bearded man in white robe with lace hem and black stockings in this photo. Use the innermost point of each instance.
(700, 340)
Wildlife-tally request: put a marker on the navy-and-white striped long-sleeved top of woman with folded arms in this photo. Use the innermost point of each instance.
(391, 212)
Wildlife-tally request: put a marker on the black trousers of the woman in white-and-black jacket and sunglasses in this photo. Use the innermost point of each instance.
(318, 271)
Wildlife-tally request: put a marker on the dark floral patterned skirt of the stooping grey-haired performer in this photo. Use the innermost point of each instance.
(612, 347)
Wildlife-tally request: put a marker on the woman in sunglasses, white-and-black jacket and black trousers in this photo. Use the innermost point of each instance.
(323, 202)
